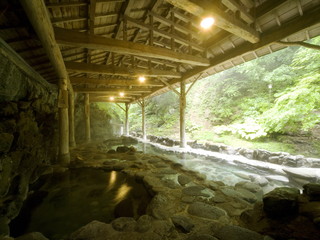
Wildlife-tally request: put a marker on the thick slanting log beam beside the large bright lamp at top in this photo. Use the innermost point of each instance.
(222, 20)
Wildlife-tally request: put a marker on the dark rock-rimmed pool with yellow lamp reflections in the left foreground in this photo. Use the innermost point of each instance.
(62, 203)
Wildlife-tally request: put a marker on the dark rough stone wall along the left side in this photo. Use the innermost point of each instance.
(28, 131)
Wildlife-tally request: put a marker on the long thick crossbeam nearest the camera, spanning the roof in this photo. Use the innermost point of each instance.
(68, 37)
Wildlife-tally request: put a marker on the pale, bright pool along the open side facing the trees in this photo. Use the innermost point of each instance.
(230, 169)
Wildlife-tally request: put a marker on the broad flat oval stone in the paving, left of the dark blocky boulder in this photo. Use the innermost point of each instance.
(204, 210)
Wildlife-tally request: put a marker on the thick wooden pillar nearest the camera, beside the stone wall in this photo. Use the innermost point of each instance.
(64, 154)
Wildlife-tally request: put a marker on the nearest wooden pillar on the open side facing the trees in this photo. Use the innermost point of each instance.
(182, 115)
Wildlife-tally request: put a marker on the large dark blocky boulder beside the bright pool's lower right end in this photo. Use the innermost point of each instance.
(281, 202)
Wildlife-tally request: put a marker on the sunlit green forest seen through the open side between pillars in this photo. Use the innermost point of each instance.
(272, 102)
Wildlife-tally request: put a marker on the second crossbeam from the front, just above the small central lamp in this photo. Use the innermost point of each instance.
(122, 71)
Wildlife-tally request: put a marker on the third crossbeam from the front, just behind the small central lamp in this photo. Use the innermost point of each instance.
(113, 82)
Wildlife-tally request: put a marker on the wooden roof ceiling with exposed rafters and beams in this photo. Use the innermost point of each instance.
(107, 44)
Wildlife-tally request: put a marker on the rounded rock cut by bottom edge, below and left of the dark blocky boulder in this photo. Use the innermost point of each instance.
(231, 232)
